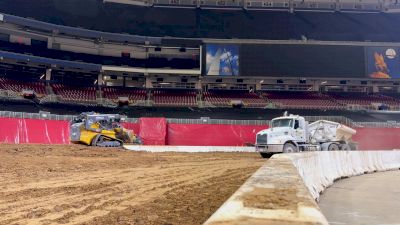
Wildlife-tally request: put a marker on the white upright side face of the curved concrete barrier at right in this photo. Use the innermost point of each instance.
(320, 169)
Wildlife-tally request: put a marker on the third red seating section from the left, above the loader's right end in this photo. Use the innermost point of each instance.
(133, 95)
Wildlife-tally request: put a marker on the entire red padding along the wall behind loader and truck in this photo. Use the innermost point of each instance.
(156, 131)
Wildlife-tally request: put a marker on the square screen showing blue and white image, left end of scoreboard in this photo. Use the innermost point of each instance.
(222, 60)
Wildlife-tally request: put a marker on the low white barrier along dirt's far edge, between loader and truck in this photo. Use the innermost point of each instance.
(171, 148)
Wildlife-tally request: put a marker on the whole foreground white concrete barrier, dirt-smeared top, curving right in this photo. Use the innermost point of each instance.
(284, 189)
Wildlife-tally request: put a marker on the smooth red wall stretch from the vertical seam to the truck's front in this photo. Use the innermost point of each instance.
(212, 135)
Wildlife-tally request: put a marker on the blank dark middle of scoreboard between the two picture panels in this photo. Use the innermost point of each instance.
(290, 60)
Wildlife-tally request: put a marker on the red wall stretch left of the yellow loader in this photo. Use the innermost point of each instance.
(18, 131)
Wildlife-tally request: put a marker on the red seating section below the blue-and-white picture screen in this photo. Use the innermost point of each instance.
(225, 98)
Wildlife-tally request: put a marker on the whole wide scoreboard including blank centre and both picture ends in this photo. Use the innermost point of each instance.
(302, 61)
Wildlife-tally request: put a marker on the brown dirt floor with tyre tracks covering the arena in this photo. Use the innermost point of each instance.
(60, 184)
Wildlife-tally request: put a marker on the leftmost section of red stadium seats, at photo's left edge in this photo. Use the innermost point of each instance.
(18, 86)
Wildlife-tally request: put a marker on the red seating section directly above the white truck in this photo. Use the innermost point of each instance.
(302, 100)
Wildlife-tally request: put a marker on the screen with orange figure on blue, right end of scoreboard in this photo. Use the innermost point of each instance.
(383, 62)
